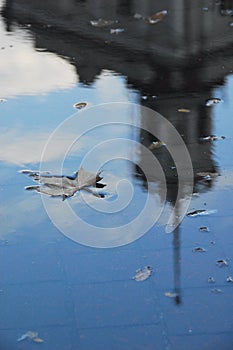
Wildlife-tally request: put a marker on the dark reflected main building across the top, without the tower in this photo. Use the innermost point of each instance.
(169, 54)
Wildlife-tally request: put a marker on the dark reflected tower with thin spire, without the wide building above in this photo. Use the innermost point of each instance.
(192, 124)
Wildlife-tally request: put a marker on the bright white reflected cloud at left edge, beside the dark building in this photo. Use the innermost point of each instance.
(25, 71)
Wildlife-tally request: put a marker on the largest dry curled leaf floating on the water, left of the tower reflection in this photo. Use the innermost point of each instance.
(66, 186)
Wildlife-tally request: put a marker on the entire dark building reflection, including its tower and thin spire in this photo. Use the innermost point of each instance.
(180, 59)
